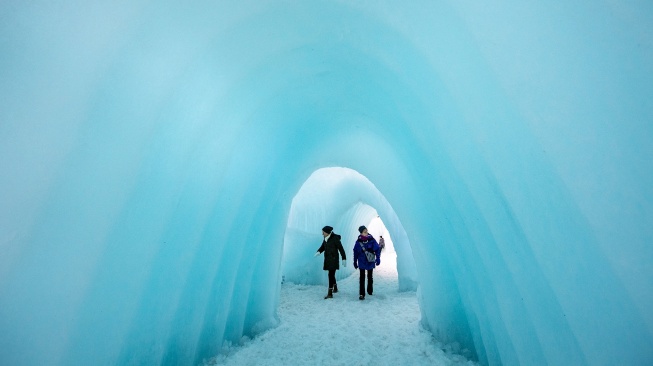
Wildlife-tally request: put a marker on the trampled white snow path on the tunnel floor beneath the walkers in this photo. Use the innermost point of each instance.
(315, 331)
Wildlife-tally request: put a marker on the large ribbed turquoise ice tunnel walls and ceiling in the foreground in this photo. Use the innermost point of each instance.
(150, 153)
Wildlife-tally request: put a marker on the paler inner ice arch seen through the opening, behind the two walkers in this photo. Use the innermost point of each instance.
(344, 199)
